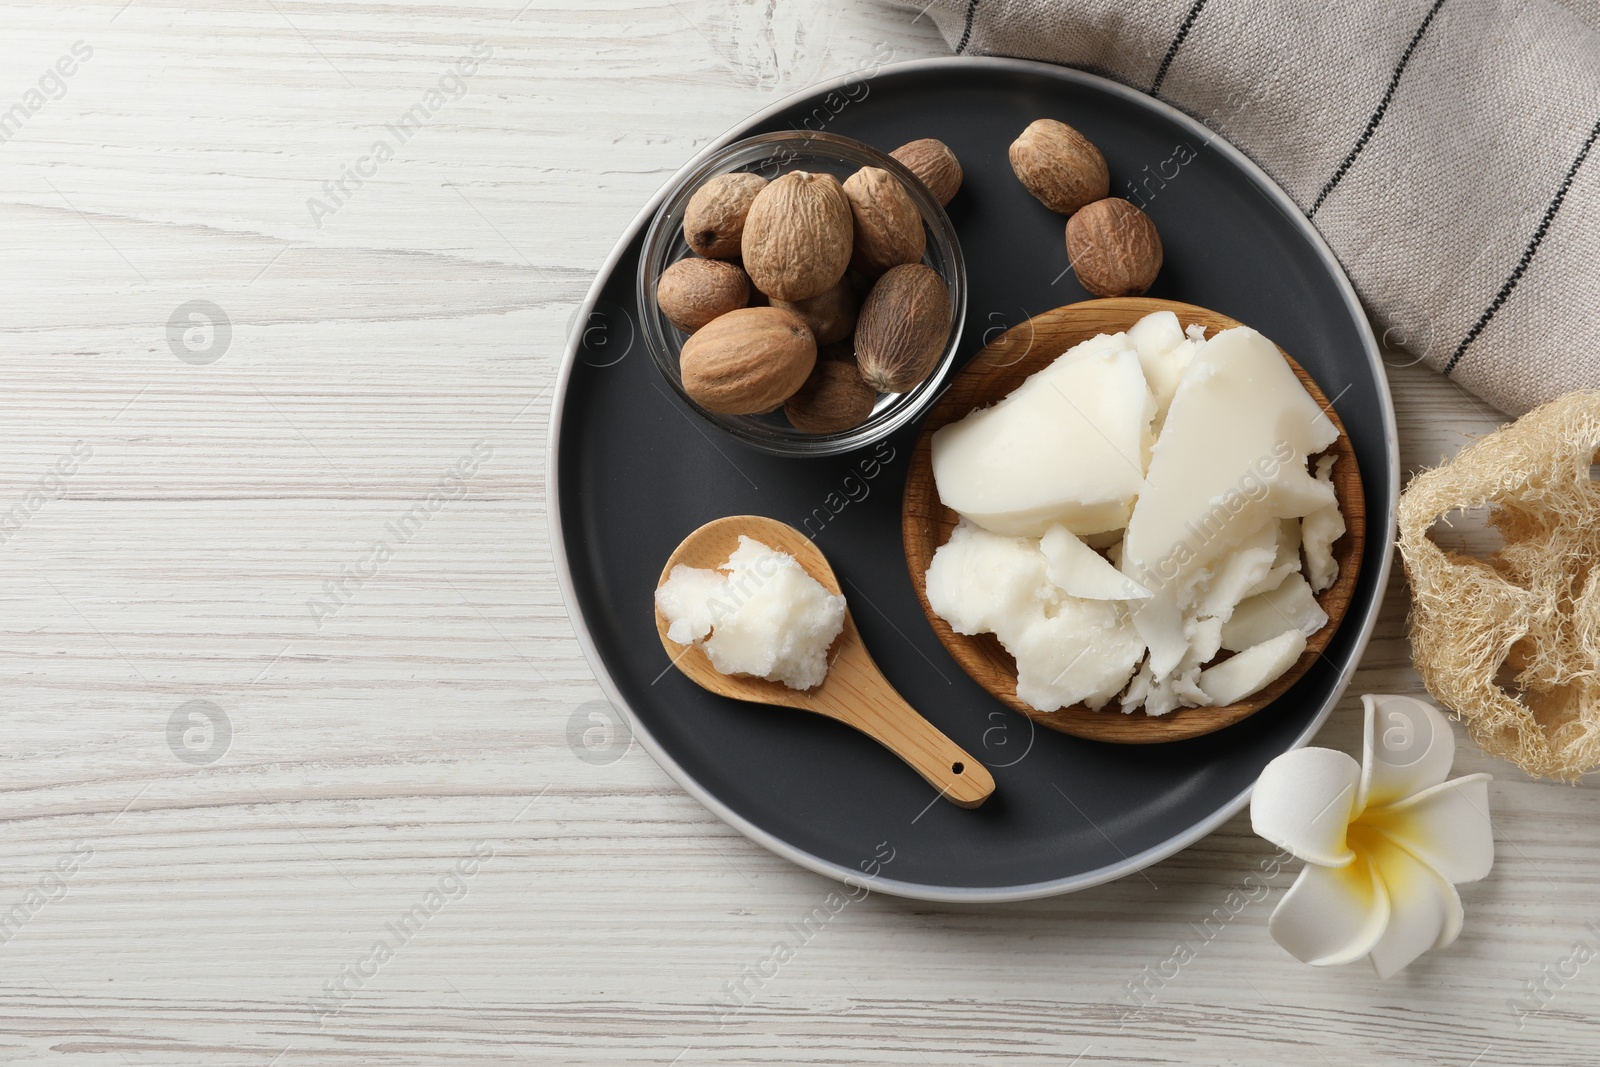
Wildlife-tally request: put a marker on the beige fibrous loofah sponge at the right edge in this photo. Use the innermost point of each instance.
(1513, 642)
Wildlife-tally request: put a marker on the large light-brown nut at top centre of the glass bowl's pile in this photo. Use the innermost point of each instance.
(798, 236)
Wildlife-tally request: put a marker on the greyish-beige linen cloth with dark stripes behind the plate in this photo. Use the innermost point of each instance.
(1444, 148)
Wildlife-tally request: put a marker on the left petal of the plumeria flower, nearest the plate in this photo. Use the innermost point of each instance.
(1305, 801)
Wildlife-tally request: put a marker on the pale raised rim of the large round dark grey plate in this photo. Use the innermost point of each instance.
(916, 890)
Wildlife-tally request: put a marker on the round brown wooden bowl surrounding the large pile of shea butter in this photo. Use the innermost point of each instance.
(927, 524)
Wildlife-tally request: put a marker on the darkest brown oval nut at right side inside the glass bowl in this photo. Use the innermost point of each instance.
(903, 327)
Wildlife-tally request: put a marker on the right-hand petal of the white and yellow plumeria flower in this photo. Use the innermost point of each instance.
(1447, 828)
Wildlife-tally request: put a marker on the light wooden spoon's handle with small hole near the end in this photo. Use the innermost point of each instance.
(858, 695)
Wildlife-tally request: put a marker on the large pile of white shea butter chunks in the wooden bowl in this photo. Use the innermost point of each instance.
(1137, 510)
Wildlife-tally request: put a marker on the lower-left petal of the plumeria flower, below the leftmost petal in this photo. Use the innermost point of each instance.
(1332, 916)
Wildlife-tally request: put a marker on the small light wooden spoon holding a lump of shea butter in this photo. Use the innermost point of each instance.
(855, 692)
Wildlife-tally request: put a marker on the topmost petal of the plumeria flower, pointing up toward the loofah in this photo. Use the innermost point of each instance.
(1409, 748)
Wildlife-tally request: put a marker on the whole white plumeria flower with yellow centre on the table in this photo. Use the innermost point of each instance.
(1383, 842)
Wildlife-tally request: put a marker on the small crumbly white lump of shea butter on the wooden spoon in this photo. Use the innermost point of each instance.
(758, 615)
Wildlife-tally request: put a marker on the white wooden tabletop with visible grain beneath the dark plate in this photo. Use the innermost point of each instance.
(196, 529)
